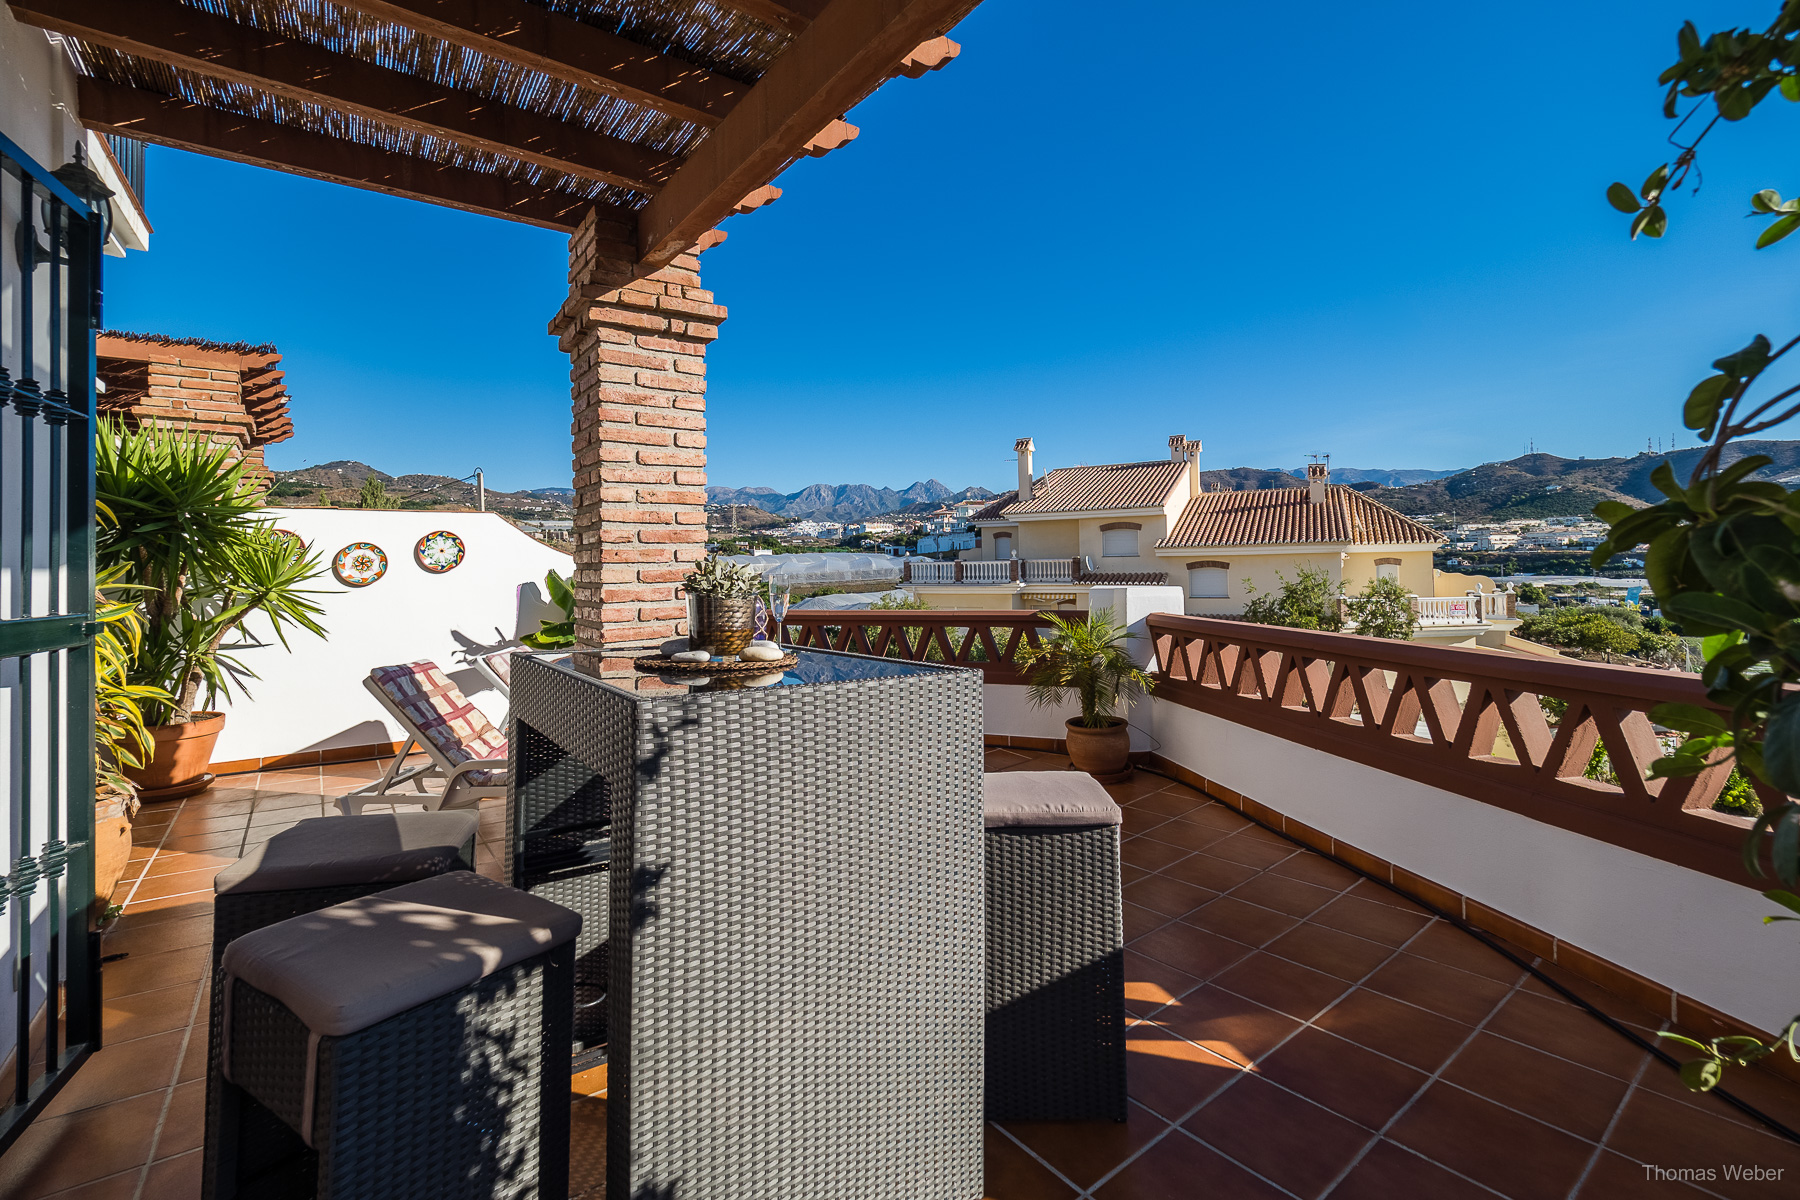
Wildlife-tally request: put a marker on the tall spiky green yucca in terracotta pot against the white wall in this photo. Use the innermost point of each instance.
(188, 539)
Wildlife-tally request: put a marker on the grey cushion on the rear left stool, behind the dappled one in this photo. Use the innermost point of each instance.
(332, 852)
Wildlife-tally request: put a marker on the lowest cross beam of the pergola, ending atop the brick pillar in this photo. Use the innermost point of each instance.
(172, 121)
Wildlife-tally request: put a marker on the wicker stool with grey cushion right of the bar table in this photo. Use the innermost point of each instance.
(1056, 949)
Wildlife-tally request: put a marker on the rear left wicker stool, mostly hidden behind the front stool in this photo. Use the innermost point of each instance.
(318, 864)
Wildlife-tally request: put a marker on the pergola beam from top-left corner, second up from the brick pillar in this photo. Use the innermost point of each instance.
(222, 49)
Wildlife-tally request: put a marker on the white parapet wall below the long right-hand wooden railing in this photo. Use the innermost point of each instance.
(1693, 933)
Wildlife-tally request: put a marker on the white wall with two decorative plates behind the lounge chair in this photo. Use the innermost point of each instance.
(310, 697)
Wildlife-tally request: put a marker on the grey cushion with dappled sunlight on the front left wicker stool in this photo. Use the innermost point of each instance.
(359, 963)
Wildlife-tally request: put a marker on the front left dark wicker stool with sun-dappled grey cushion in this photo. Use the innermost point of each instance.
(409, 1046)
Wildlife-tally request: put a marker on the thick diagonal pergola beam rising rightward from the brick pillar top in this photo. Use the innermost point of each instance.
(840, 60)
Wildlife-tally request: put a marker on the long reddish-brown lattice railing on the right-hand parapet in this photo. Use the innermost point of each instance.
(1468, 722)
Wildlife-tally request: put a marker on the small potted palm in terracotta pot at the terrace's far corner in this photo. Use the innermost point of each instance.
(1090, 659)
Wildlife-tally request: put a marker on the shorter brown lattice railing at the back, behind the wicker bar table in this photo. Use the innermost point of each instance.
(987, 641)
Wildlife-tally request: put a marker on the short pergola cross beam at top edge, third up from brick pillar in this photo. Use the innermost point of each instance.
(566, 49)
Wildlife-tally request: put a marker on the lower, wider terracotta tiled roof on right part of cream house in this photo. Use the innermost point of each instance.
(1282, 515)
